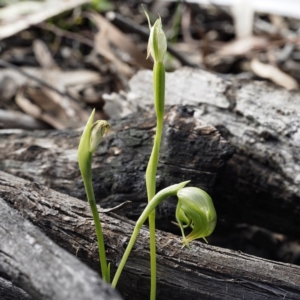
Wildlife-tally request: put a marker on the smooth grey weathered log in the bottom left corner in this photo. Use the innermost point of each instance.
(45, 271)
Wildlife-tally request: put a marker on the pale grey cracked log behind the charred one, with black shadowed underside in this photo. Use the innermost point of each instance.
(261, 182)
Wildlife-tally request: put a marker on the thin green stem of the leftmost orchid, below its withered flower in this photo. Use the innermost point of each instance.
(91, 198)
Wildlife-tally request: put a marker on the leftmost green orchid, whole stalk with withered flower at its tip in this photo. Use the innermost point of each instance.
(89, 141)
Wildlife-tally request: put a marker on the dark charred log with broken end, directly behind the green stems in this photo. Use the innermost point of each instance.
(191, 150)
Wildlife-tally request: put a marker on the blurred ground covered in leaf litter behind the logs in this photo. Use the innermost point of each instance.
(61, 58)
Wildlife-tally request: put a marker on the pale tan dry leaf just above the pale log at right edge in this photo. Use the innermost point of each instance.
(274, 74)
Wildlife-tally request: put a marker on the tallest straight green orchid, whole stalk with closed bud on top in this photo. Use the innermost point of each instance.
(157, 47)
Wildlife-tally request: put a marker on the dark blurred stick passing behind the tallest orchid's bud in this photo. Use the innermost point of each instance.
(125, 23)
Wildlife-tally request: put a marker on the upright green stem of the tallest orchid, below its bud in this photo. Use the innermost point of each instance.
(159, 95)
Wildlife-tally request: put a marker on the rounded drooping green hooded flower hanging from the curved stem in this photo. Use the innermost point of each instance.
(195, 209)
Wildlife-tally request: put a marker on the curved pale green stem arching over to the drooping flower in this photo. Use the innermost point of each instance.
(158, 198)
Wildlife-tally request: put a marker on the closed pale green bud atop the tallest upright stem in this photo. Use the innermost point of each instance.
(157, 44)
